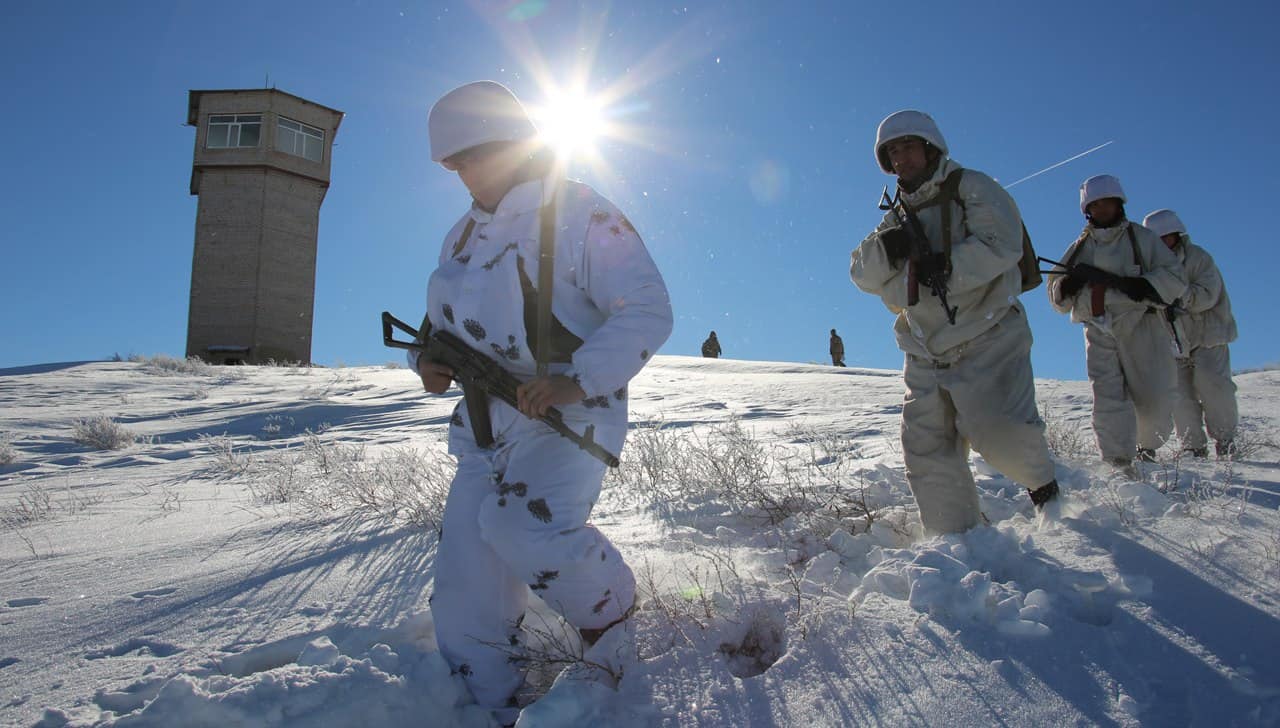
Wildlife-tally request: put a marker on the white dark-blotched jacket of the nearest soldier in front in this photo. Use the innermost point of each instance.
(609, 292)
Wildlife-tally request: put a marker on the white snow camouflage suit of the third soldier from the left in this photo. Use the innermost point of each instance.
(1130, 351)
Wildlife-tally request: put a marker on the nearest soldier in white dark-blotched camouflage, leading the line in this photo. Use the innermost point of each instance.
(518, 515)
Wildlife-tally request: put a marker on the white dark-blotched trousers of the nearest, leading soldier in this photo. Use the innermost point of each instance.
(516, 521)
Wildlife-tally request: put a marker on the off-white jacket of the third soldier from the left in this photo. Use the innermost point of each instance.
(1110, 250)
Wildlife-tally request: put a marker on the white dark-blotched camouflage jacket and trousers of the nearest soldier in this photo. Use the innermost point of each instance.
(516, 514)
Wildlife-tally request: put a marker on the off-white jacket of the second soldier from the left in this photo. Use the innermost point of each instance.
(986, 249)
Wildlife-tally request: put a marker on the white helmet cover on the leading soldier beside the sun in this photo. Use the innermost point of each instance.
(477, 115)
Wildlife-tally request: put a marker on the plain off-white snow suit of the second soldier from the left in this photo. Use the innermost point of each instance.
(971, 383)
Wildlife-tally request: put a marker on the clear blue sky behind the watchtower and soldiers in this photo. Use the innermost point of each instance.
(755, 185)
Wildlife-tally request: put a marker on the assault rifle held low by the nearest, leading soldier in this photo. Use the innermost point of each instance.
(481, 379)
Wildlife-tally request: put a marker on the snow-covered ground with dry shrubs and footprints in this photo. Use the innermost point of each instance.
(262, 555)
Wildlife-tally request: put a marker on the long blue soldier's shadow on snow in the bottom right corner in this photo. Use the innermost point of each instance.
(1187, 652)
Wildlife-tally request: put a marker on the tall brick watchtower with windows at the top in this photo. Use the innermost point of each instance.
(262, 171)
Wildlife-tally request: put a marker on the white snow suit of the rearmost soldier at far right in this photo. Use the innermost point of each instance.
(1206, 395)
